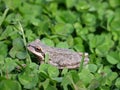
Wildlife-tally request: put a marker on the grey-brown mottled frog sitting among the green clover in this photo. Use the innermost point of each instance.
(59, 57)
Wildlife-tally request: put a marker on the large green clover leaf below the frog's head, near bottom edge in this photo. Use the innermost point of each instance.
(28, 78)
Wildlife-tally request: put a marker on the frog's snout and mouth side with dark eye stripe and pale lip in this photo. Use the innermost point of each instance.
(36, 50)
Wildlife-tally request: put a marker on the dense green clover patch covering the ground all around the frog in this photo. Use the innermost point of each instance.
(82, 25)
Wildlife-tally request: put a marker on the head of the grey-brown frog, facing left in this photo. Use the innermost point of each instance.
(36, 48)
